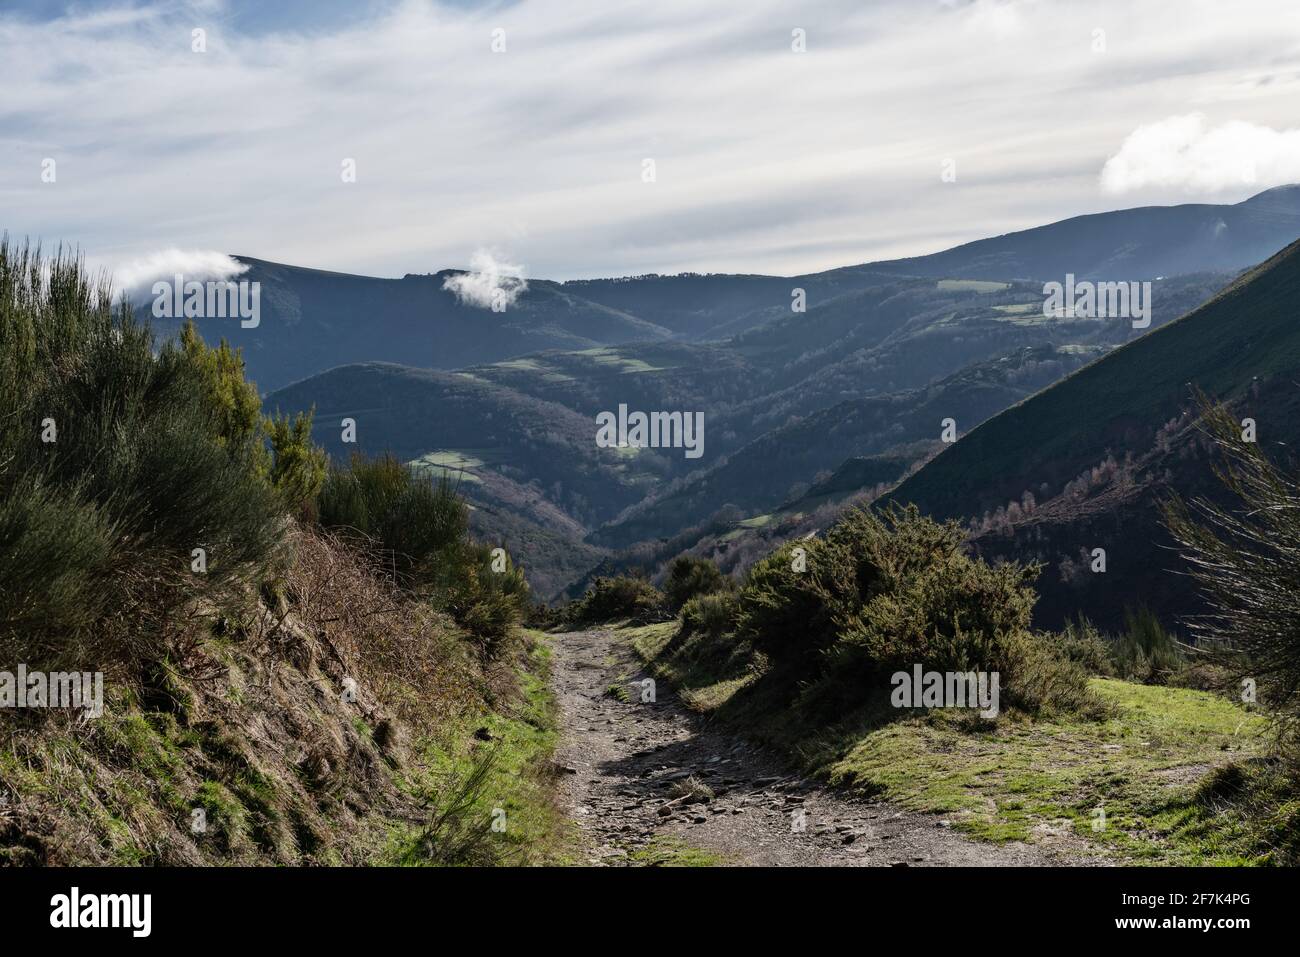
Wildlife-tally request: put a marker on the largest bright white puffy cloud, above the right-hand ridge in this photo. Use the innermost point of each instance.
(1185, 154)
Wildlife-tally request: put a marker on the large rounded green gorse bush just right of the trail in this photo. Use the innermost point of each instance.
(882, 594)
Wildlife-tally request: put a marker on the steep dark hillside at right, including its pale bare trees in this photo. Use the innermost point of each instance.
(1085, 464)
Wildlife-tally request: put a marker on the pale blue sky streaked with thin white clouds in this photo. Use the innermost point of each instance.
(579, 138)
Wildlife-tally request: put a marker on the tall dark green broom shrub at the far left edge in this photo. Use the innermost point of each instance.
(115, 469)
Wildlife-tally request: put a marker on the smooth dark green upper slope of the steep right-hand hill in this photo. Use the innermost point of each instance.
(1245, 336)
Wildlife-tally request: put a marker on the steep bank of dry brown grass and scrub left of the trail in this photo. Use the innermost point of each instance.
(297, 721)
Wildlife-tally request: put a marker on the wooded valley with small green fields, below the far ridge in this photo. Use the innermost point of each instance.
(870, 371)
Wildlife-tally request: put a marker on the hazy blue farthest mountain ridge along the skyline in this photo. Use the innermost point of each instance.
(314, 321)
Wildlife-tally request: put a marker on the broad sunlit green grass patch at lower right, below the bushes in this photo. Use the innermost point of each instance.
(1141, 768)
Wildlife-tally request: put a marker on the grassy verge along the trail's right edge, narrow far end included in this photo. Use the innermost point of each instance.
(1150, 768)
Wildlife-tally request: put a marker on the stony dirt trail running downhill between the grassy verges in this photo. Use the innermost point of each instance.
(630, 764)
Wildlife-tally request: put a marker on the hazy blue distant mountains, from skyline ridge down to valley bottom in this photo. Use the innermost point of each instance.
(792, 401)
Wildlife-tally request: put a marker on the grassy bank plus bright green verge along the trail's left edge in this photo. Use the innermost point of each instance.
(206, 776)
